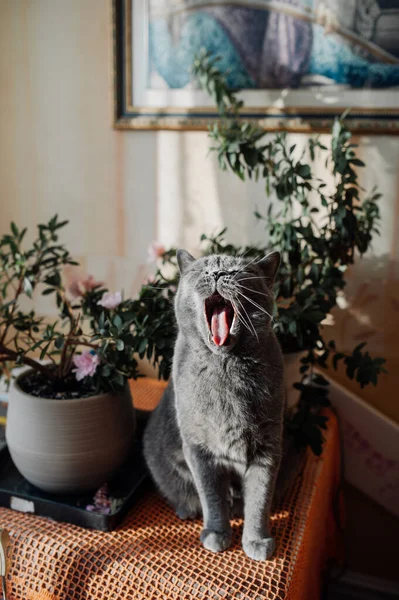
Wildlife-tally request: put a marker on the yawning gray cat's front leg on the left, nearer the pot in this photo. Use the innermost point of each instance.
(212, 486)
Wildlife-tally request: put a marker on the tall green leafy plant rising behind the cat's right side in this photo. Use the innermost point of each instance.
(319, 228)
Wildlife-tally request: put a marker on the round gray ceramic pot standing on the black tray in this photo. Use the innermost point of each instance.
(67, 446)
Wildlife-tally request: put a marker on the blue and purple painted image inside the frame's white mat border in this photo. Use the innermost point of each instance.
(273, 45)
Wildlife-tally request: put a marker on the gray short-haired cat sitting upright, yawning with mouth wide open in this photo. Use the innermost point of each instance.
(219, 423)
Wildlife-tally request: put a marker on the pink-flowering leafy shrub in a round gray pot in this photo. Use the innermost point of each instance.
(70, 419)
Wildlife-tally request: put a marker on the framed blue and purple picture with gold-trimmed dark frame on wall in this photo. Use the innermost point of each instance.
(297, 63)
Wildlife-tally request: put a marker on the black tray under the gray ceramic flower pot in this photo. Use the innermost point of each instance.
(128, 483)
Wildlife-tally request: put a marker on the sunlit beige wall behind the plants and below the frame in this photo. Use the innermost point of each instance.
(120, 190)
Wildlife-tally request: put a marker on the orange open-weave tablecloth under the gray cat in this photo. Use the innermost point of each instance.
(154, 555)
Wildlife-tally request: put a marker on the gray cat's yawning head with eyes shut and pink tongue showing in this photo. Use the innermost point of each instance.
(224, 299)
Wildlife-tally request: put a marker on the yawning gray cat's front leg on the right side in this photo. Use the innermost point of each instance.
(259, 481)
